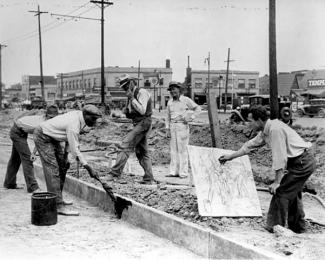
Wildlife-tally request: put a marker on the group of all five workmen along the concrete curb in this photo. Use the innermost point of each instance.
(57, 135)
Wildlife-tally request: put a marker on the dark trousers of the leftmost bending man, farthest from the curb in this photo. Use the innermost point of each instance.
(20, 154)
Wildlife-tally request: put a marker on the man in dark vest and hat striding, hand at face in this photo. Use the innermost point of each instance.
(139, 109)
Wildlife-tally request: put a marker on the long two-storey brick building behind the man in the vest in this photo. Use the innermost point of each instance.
(154, 79)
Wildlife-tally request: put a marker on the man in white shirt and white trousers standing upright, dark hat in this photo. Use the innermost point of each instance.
(179, 113)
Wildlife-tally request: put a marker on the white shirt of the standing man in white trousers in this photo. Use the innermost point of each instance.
(177, 110)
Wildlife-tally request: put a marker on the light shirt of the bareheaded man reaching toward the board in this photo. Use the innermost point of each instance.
(283, 140)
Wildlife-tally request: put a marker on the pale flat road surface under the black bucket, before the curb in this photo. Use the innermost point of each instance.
(93, 235)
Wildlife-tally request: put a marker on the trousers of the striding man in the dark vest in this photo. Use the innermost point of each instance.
(136, 140)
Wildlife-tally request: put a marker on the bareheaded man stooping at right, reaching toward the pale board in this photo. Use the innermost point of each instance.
(292, 162)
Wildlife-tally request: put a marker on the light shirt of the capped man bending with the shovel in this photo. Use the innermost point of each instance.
(67, 127)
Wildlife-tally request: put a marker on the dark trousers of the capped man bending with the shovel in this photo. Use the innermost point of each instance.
(53, 161)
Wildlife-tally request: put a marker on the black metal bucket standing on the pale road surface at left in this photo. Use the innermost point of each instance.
(44, 210)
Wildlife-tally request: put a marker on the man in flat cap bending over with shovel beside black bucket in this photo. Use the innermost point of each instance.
(49, 135)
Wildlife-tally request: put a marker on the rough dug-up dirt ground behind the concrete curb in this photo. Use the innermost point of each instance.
(181, 201)
